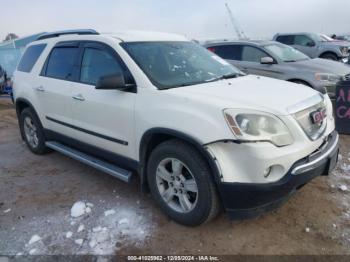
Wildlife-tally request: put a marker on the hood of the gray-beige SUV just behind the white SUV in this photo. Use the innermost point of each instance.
(319, 65)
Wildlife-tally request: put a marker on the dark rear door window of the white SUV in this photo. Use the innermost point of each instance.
(61, 63)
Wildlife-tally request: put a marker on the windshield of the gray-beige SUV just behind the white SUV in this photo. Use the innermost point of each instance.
(286, 53)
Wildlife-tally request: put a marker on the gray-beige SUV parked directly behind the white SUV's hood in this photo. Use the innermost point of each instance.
(273, 59)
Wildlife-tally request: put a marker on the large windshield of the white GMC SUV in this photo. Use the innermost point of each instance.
(175, 64)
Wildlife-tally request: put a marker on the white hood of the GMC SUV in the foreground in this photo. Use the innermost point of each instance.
(248, 92)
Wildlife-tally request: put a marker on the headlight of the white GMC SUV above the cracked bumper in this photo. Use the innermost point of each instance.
(258, 126)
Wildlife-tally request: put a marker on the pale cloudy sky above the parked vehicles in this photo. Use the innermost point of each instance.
(197, 19)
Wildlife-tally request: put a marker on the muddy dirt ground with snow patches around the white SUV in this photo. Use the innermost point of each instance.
(38, 192)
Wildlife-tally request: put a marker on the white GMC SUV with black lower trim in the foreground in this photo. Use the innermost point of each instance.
(198, 132)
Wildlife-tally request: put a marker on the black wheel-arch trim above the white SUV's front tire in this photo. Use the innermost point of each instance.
(170, 134)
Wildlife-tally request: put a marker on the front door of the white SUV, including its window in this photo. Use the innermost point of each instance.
(103, 118)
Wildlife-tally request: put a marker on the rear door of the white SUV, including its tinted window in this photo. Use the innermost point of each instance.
(55, 87)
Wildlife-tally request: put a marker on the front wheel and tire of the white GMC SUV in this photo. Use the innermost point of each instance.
(181, 183)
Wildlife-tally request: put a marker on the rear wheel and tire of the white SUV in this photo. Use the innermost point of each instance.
(32, 131)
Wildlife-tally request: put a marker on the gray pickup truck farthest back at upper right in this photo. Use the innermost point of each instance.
(315, 45)
